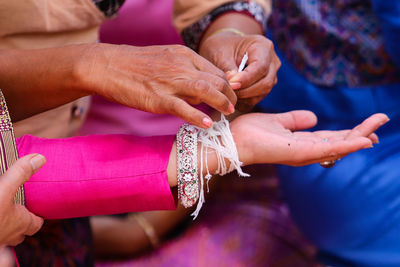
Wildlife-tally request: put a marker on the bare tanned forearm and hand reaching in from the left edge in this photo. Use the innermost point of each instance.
(157, 79)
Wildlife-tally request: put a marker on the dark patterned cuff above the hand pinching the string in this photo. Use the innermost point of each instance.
(192, 35)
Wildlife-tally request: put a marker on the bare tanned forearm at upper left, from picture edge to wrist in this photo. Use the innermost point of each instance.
(34, 81)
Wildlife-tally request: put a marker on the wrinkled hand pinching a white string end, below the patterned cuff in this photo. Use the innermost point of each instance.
(226, 50)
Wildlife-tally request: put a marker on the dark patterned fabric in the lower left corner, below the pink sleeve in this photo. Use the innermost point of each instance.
(65, 243)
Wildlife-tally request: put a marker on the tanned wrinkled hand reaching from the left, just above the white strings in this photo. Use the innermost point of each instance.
(158, 79)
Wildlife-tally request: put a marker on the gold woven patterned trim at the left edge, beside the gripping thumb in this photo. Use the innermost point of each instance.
(8, 150)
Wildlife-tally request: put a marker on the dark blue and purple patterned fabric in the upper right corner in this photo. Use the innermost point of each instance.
(333, 42)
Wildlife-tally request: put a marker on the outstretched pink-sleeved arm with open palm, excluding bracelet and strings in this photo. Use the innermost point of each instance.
(115, 174)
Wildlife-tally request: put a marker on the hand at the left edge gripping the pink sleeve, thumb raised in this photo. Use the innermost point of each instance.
(15, 220)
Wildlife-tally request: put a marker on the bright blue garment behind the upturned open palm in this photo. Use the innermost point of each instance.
(351, 211)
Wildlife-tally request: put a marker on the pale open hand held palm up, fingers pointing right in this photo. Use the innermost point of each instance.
(275, 138)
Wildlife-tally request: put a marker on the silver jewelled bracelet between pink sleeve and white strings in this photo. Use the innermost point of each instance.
(188, 182)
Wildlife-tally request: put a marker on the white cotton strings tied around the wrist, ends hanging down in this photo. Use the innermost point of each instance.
(220, 140)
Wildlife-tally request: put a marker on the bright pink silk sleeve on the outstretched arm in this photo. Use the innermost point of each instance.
(94, 175)
